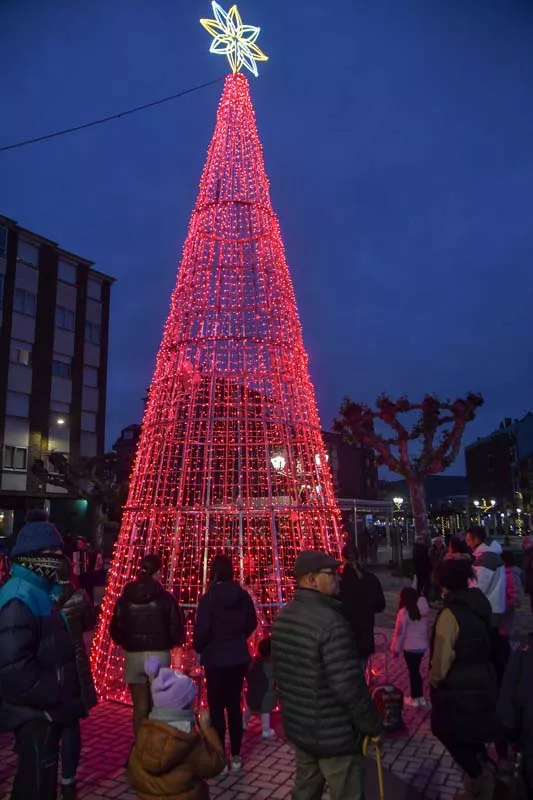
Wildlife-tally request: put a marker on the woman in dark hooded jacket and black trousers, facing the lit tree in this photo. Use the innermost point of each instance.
(225, 620)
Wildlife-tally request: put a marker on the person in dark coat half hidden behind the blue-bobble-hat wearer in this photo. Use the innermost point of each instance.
(80, 617)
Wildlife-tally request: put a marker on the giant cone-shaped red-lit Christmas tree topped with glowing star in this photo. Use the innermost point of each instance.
(231, 457)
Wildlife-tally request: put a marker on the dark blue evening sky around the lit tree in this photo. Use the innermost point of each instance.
(399, 141)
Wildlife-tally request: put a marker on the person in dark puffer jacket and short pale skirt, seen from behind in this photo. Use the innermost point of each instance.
(147, 620)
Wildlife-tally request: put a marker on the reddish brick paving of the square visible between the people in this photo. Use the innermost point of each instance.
(416, 765)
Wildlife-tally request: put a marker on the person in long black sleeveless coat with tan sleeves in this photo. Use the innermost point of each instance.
(463, 682)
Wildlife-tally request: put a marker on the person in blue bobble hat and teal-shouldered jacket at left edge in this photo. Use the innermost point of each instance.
(39, 687)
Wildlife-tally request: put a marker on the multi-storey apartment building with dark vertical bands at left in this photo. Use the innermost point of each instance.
(54, 315)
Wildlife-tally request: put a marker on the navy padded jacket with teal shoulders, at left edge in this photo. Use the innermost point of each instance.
(38, 672)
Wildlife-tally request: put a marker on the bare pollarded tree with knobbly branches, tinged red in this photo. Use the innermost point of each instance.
(427, 446)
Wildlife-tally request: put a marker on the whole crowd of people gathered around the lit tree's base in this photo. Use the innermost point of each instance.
(313, 662)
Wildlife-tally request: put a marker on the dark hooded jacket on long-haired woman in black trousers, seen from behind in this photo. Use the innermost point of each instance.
(225, 620)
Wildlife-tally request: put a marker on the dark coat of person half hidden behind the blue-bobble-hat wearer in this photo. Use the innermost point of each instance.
(81, 617)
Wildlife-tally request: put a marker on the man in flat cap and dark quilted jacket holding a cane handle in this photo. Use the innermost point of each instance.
(326, 707)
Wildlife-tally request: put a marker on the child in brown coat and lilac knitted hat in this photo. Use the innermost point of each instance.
(172, 757)
